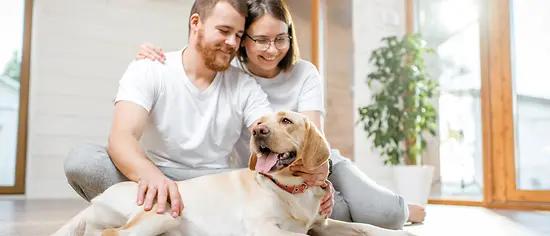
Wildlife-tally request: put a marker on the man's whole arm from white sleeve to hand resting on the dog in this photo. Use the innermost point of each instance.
(137, 94)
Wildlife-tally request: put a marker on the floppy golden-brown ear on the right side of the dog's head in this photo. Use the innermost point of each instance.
(315, 148)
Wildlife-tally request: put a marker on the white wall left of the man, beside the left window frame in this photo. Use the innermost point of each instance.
(79, 51)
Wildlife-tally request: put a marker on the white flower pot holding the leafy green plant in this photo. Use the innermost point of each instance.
(413, 183)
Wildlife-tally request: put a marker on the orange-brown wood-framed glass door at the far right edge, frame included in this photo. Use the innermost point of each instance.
(519, 99)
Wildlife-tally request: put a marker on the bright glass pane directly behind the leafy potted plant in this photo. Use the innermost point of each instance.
(452, 29)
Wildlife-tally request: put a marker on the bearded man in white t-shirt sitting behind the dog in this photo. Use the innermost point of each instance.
(176, 120)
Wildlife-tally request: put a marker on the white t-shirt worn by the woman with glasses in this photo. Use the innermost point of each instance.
(300, 89)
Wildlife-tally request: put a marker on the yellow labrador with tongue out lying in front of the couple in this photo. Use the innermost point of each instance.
(264, 200)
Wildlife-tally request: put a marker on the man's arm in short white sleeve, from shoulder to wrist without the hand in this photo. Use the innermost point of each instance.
(136, 96)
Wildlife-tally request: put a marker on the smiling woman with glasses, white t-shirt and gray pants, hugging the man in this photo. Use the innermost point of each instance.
(269, 52)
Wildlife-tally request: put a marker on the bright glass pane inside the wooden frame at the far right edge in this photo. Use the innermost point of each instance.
(530, 80)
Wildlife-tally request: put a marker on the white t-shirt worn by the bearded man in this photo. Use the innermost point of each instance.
(187, 128)
